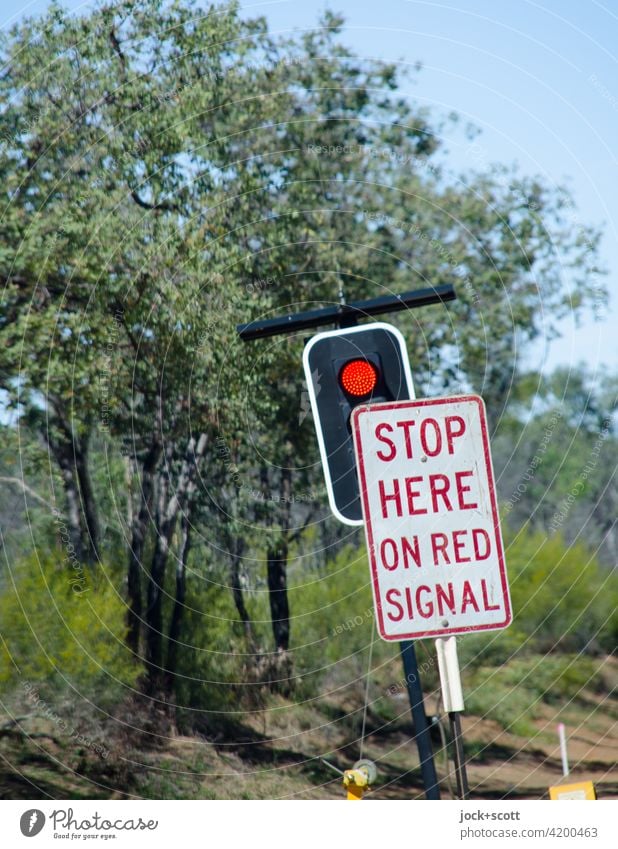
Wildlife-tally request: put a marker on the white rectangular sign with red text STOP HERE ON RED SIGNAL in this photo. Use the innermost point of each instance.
(431, 517)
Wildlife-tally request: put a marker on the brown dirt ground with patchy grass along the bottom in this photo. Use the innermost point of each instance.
(278, 752)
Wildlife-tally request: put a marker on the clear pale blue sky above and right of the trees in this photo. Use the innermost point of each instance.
(539, 79)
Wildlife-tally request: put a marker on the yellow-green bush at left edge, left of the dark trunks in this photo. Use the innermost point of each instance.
(62, 629)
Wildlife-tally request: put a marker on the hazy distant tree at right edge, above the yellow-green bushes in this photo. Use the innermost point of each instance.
(557, 468)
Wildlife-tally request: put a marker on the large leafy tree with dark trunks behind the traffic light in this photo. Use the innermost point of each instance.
(157, 161)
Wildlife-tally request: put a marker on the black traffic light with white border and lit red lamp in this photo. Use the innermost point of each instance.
(345, 368)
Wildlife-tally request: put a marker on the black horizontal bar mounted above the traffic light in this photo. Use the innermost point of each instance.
(340, 313)
